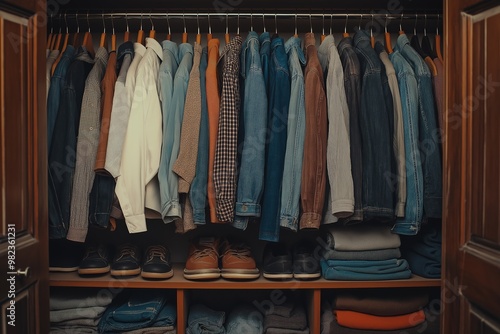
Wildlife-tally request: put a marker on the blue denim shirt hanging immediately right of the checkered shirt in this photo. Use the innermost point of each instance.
(253, 119)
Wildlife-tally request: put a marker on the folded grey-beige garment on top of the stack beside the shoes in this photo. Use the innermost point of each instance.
(361, 237)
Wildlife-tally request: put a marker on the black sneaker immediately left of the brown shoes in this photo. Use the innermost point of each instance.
(157, 263)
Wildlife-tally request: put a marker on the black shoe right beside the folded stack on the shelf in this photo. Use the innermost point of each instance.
(305, 264)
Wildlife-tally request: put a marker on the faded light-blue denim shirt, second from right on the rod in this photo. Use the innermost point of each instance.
(408, 91)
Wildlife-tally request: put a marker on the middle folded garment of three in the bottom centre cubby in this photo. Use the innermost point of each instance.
(245, 319)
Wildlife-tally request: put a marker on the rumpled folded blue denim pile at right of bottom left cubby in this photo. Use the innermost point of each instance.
(139, 311)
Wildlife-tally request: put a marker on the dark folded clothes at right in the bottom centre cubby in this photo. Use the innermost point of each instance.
(288, 318)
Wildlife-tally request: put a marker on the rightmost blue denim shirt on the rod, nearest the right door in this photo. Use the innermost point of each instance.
(429, 134)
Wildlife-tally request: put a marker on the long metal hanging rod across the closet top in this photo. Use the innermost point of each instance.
(192, 15)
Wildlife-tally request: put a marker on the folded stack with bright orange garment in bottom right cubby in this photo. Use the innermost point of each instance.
(370, 311)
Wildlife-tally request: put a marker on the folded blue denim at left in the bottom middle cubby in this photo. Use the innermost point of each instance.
(203, 320)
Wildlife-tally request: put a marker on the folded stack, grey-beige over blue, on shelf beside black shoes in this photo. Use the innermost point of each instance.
(363, 252)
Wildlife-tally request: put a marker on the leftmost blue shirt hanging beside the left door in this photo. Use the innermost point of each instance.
(56, 86)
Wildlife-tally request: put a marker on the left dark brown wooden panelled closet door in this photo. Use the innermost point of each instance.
(23, 156)
